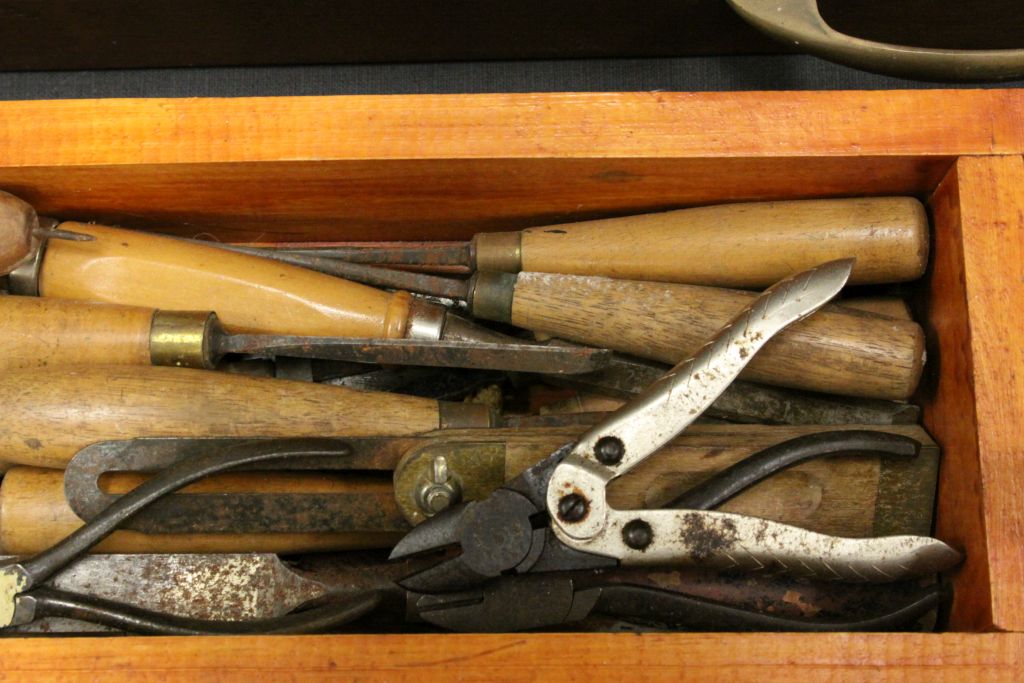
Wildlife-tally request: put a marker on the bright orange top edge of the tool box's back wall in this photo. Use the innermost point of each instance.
(657, 125)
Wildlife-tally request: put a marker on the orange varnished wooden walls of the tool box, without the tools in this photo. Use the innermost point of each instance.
(444, 167)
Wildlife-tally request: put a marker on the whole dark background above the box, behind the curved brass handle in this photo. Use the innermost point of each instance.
(184, 49)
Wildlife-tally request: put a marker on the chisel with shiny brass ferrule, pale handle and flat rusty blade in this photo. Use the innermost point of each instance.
(47, 332)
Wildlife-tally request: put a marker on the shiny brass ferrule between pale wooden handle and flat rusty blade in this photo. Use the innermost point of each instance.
(183, 338)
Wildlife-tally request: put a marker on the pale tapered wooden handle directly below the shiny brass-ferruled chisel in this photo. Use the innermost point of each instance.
(52, 413)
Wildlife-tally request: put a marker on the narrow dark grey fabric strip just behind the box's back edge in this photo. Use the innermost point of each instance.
(686, 74)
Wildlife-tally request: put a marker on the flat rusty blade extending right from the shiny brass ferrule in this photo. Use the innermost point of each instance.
(441, 354)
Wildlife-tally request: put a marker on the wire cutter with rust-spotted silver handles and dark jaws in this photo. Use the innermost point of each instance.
(556, 517)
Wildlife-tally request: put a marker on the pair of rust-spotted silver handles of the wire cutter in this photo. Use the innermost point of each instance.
(583, 520)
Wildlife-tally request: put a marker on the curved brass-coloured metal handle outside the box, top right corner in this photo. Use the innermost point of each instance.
(800, 23)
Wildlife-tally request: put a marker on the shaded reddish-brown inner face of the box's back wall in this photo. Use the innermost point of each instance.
(444, 199)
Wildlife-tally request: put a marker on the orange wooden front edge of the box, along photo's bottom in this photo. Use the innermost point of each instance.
(589, 658)
